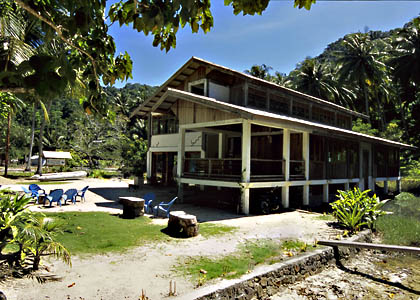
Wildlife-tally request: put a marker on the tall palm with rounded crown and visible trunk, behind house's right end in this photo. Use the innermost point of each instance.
(358, 63)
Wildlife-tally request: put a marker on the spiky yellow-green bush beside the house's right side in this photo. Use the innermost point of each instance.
(355, 209)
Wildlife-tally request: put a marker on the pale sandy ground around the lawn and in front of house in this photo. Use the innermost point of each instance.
(151, 267)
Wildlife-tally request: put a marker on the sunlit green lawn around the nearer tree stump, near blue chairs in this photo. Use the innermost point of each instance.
(99, 232)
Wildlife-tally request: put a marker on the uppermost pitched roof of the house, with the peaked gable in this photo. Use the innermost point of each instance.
(194, 63)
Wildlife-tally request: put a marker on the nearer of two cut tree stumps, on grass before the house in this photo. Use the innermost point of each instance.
(181, 223)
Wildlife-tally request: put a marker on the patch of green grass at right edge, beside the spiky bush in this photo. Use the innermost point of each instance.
(402, 227)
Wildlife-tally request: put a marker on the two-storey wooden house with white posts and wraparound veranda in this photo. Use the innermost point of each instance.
(213, 126)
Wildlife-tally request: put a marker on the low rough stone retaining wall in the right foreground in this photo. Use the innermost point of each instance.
(267, 281)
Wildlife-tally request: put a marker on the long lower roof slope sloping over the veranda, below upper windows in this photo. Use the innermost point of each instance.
(255, 114)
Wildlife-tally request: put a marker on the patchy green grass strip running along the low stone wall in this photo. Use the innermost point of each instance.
(242, 261)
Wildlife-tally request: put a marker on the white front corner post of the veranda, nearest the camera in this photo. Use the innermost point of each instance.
(246, 164)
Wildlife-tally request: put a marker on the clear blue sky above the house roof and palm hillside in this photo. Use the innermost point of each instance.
(281, 37)
